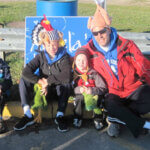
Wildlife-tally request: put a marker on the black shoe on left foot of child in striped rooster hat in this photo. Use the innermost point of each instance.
(24, 122)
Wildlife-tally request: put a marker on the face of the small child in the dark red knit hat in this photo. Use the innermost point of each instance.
(81, 62)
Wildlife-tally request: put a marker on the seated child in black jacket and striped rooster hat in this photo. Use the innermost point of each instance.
(54, 76)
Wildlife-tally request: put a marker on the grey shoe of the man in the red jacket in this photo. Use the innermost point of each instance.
(113, 129)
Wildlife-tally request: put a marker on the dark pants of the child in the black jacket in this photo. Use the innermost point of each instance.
(60, 92)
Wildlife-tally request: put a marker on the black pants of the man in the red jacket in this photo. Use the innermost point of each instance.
(129, 109)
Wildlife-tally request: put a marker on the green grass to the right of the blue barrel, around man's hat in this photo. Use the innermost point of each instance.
(124, 18)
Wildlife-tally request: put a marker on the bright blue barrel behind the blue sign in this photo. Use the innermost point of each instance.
(56, 7)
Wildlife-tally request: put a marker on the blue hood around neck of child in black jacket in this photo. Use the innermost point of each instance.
(60, 53)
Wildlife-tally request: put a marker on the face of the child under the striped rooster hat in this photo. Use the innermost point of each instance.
(52, 47)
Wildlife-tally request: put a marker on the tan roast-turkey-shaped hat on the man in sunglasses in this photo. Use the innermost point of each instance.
(100, 19)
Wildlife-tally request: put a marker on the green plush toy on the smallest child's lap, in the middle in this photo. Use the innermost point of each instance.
(91, 103)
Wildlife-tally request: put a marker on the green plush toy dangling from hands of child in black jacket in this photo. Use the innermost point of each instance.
(40, 102)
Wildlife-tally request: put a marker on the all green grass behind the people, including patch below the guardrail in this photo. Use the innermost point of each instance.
(124, 18)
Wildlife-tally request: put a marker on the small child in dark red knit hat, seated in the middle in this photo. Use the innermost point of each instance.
(89, 89)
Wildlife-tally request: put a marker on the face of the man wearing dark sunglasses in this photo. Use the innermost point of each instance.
(102, 36)
